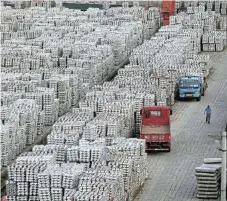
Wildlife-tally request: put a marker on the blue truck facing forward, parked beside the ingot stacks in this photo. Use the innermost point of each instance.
(191, 87)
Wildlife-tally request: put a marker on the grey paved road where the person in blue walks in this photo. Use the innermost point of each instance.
(171, 175)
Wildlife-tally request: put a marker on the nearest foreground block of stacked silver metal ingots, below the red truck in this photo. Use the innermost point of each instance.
(37, 174)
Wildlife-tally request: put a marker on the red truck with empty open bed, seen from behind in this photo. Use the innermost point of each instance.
(155, 128)
